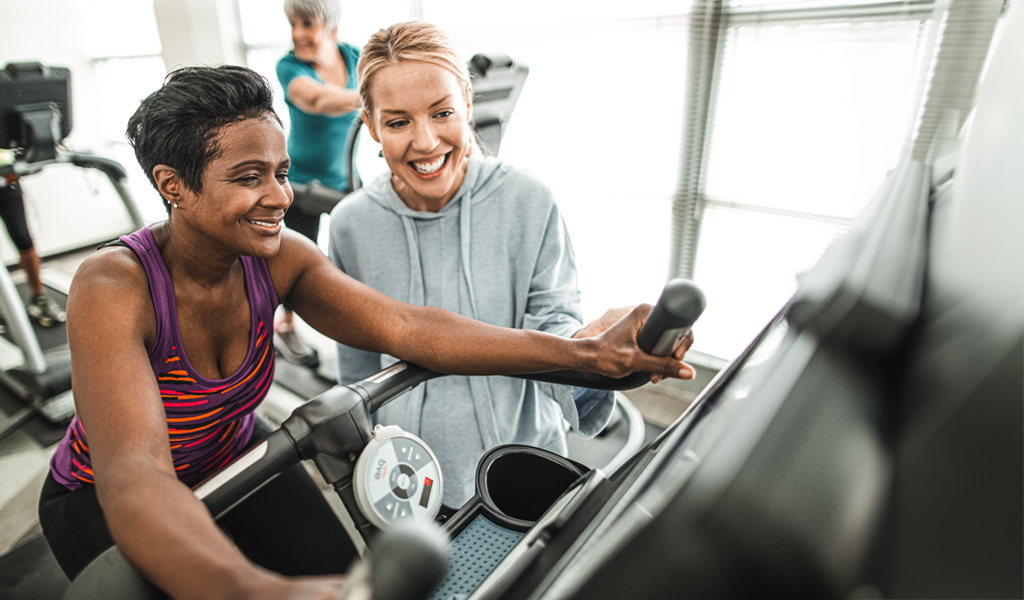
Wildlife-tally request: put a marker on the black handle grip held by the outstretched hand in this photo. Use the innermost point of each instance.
(678, 309)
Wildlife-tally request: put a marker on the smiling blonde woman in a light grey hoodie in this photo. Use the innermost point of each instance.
(453, 229)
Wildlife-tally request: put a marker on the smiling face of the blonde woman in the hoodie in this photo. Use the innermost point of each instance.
(421, 119)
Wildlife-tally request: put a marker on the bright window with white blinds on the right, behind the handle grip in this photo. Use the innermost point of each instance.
(797, 111)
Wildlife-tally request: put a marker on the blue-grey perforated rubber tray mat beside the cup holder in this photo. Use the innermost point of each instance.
(474, 554)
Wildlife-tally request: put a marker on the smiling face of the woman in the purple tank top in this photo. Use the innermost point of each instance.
(245, 191)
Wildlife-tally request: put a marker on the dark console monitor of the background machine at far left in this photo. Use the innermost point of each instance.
(30, 92)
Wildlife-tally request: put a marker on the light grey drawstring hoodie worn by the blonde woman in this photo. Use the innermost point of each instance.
(498, 252)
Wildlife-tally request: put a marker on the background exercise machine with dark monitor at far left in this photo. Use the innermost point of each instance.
(35, 116)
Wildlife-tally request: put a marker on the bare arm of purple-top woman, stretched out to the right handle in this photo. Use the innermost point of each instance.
(360, 317)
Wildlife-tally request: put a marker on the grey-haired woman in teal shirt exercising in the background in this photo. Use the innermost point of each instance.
(319, 79)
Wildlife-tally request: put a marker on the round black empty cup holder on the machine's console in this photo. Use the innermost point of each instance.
(522, 483)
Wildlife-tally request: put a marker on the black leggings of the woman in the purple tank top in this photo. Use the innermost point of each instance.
(286, 527)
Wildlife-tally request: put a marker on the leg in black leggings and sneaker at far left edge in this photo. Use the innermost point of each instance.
(41, 308)
